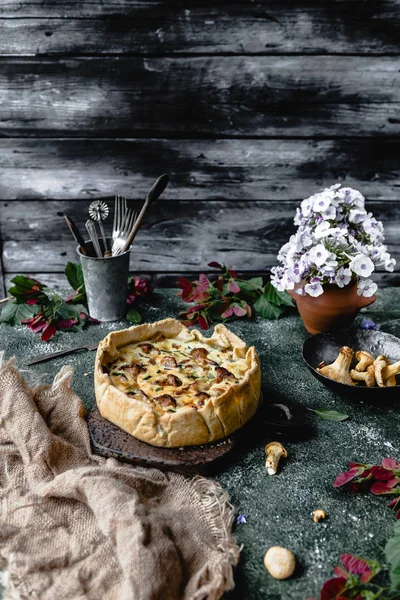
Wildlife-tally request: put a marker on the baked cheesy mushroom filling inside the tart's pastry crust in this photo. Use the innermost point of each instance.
(170, 373)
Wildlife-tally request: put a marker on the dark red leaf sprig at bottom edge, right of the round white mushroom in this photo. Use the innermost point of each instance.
(353, 580)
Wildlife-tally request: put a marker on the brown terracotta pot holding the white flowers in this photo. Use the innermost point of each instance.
(336, 307)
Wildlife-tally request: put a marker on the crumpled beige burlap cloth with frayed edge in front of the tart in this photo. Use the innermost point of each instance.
(77, 526)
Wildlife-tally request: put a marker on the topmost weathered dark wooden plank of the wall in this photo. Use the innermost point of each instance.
(75, 27)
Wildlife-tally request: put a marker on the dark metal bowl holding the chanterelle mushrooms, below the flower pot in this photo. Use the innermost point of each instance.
(326, 345)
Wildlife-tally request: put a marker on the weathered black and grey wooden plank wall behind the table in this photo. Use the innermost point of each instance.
(250, 106)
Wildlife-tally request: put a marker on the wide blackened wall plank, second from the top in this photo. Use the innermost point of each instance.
(250, 96)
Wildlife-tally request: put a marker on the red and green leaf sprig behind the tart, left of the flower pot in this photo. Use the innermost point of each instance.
(229, 297)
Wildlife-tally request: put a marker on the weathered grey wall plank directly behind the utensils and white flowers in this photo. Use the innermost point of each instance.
(247, 235)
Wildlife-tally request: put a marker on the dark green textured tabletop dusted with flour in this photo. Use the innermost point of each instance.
(278, 508)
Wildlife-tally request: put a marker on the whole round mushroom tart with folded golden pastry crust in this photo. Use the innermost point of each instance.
(172, 387)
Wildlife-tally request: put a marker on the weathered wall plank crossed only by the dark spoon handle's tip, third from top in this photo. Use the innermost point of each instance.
(199, 169)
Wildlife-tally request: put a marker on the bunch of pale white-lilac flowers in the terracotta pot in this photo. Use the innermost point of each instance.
(337, 242)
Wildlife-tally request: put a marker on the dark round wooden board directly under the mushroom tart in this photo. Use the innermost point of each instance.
(112, 442)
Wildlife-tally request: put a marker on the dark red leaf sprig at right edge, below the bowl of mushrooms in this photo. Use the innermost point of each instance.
(376, 479)
